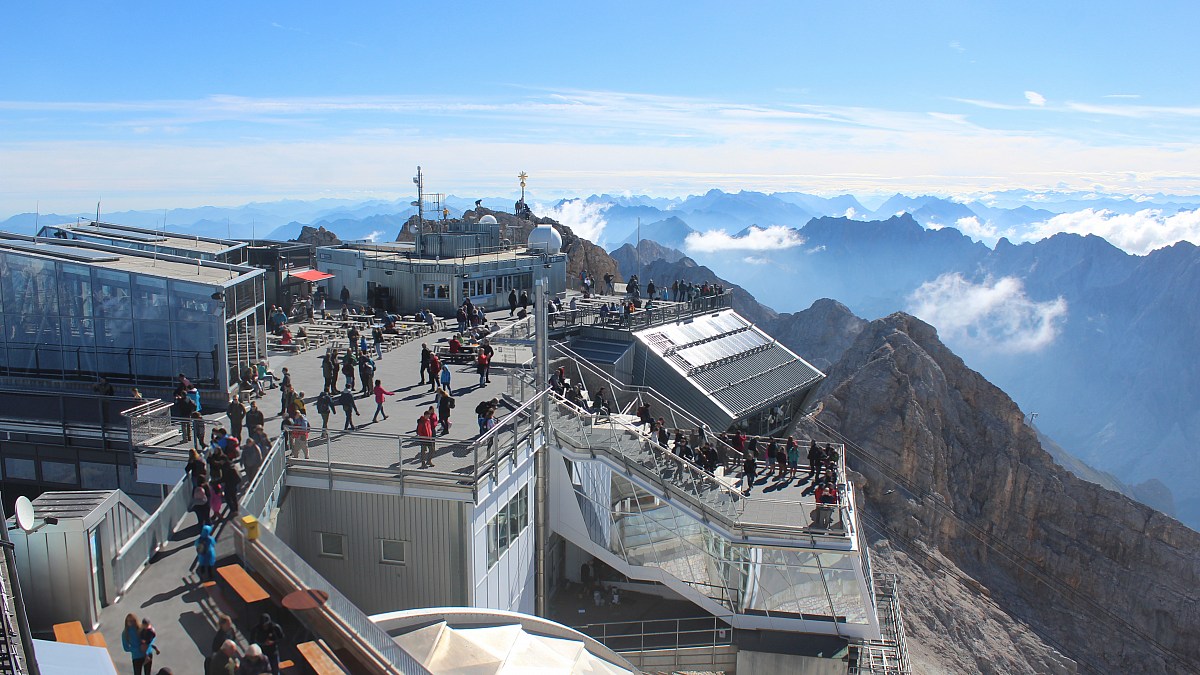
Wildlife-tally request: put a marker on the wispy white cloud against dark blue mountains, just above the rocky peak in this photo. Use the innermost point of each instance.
(994, 315)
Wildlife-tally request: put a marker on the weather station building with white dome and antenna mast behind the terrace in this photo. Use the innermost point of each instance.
(448, 262)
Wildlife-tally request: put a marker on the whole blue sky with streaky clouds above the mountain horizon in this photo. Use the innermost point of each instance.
(153, 105)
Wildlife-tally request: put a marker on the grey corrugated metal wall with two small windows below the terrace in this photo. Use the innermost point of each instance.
(436, 531)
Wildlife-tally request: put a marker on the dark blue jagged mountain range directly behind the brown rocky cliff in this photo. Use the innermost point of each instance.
(1099, 343)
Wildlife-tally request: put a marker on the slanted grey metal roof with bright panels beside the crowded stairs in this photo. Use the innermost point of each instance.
(730, 361)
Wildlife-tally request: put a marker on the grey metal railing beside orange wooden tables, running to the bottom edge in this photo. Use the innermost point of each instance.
(272, 557)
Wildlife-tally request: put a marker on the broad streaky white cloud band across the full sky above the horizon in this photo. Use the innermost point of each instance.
(578, 142)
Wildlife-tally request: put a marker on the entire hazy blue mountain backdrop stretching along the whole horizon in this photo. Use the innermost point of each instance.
(1095, 341)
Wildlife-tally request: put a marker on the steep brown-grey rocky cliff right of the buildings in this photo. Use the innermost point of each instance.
(1010, 545)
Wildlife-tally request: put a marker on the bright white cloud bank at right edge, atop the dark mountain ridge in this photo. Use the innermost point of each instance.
(1137, 234)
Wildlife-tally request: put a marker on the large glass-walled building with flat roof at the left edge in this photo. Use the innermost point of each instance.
(75, 312)
